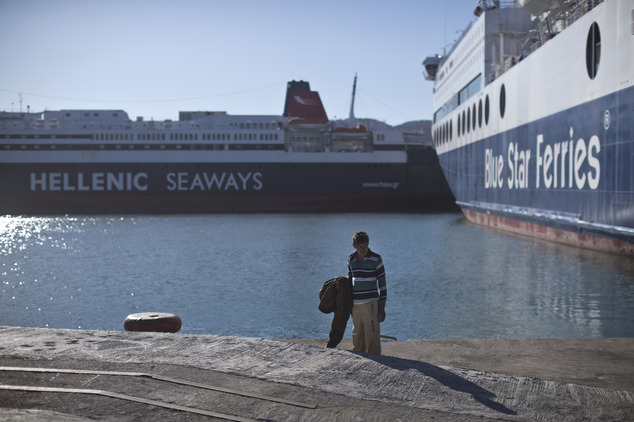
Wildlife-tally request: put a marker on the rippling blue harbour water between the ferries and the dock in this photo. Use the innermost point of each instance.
(258, 275)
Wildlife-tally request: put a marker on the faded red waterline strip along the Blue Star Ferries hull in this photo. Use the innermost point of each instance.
(549, 233)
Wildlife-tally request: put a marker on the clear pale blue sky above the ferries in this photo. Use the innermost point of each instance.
(156, 58)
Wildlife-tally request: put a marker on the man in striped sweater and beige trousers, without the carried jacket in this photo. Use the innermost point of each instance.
(369, 293)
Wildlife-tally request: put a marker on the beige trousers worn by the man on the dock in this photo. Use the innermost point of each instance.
(366, 331)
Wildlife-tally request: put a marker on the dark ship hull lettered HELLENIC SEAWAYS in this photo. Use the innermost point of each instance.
(198, 187)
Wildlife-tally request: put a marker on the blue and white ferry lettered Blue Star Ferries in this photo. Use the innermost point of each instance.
(534, 120)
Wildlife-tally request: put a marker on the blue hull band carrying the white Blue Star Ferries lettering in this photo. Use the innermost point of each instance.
(571, 170)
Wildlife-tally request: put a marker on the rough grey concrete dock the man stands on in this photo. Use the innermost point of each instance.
(79, 375)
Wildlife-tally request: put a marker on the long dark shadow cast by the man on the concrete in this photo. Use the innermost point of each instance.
(445, 377)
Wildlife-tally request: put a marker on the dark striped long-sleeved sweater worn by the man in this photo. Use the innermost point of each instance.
(368, 278)
